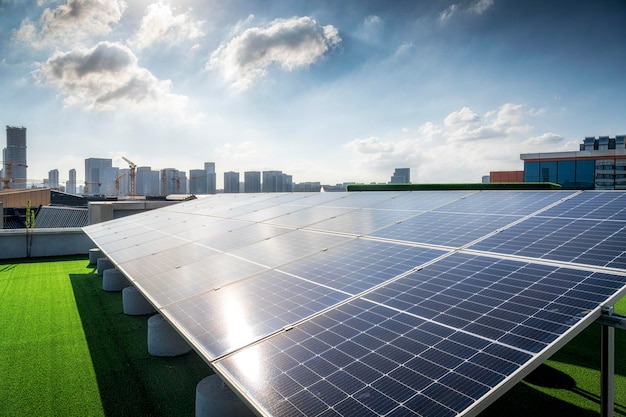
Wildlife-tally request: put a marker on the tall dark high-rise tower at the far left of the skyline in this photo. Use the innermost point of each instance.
(14, 157)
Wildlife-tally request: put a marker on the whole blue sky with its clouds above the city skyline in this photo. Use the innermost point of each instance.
(329, 91)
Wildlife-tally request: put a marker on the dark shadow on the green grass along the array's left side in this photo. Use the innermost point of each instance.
(130, 381)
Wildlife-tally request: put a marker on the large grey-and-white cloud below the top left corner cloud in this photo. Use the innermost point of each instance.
(105, 76)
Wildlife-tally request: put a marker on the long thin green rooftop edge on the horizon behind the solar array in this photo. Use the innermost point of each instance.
(455, 187)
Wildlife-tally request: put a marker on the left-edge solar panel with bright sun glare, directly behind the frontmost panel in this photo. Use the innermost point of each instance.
(238, 314)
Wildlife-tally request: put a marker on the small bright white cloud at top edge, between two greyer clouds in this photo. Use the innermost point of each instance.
(161, 25)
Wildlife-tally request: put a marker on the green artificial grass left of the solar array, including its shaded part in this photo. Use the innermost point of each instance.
(67, 349)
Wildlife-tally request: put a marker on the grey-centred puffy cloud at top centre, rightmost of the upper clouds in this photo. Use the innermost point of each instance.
(288, 43)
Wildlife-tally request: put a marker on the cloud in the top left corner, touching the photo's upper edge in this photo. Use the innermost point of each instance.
(72, 21)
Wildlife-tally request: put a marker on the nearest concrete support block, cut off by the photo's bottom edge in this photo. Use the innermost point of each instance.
(214, 398)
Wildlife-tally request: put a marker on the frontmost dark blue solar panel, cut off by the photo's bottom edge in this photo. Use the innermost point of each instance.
(301, 374)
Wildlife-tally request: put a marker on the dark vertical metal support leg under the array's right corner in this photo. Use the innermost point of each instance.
(607, 371)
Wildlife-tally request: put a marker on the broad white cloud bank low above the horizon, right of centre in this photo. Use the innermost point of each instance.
(464, 147)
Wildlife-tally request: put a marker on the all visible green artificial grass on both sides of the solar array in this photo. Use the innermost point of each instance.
(67, 349)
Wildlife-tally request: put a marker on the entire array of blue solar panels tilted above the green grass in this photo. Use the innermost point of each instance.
(376, 303)
